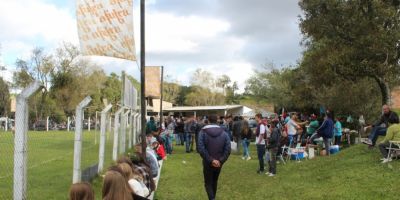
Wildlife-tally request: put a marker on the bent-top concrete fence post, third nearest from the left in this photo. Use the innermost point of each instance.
(103, 125)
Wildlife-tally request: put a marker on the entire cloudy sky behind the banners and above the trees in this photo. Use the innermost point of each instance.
(231, 37)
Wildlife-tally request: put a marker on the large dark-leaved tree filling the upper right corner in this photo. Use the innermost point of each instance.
(353, 39)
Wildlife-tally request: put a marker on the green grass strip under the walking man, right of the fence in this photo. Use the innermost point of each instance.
(354, 173)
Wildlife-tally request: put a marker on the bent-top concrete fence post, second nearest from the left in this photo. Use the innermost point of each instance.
(78, 139)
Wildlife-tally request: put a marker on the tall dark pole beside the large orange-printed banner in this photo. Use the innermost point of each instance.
(142, 76)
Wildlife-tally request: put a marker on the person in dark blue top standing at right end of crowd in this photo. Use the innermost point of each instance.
(325, 131)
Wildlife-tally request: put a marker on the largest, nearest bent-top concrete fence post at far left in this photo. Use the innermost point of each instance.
(20, 141)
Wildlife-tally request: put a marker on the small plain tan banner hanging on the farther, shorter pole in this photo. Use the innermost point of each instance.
(153, 82)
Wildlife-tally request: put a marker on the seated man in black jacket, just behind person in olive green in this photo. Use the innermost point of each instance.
(379, 128)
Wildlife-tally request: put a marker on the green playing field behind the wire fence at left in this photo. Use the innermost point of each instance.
(50, 162)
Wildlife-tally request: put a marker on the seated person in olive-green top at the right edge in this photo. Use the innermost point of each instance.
(393, 133)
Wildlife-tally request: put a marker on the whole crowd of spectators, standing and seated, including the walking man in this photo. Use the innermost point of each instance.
(212, 137)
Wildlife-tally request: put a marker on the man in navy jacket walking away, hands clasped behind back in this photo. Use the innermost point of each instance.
(214, 148)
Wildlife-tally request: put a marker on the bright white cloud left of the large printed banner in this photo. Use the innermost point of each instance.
(30, 23)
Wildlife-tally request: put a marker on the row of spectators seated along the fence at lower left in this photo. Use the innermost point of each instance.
(132, 177)
